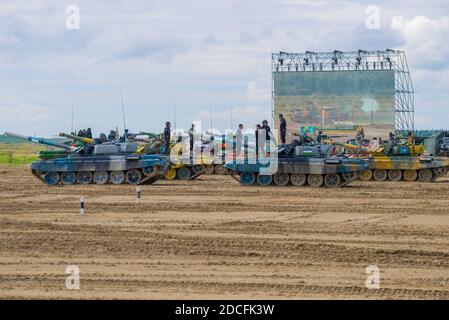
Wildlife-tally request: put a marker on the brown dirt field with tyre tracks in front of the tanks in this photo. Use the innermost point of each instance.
(212, 238)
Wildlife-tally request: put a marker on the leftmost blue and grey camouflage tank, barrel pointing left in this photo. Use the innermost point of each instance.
(115, 163)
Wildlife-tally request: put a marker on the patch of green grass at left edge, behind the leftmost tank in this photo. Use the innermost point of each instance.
(15, 154)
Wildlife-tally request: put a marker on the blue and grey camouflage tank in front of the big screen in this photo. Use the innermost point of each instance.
(301, 165)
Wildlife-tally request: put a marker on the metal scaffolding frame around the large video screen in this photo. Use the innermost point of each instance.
(360, 60)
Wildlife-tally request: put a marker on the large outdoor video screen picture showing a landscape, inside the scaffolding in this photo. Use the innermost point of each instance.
(336, 102)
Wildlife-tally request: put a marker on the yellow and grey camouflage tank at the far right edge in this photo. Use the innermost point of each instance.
(399, 162)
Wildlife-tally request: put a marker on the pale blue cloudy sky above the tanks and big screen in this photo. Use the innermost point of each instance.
(204, 54)
